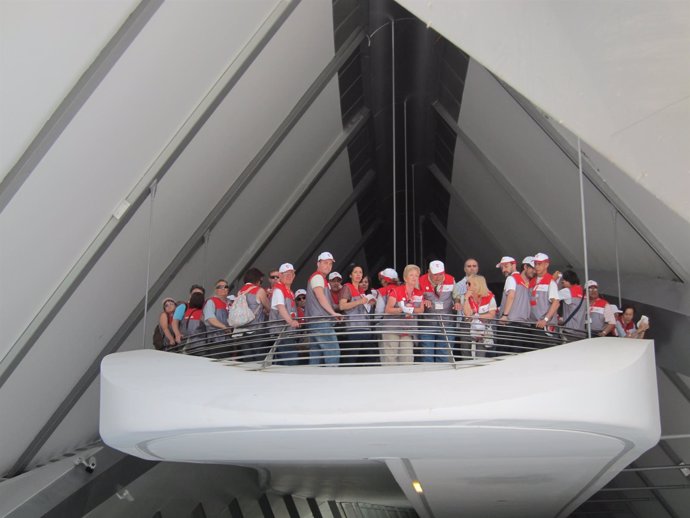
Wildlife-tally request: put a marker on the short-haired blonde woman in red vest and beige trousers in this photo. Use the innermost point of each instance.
(404, 302)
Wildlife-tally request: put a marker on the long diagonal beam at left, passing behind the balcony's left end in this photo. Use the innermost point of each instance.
(187, 250)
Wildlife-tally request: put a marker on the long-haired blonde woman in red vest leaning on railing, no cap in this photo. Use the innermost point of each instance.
(480, 306)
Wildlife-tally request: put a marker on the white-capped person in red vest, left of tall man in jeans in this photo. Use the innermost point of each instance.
(284, 308)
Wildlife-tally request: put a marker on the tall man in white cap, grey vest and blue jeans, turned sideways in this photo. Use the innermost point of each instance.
(324, 344)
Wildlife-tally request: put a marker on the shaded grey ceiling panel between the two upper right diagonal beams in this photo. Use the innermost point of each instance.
(547, 181)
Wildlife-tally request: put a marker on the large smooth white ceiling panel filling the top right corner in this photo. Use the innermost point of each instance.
(624, 88)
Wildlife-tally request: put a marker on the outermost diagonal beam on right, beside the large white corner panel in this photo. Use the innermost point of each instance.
(600, 185)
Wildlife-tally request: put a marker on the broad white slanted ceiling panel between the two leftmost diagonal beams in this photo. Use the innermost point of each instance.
(111, 142)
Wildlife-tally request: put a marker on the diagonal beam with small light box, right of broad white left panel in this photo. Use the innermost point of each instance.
(141, 191)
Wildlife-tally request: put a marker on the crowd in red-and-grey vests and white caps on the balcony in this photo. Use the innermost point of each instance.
(411, 313)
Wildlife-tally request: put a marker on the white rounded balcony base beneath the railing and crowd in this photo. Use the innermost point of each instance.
(540, 431)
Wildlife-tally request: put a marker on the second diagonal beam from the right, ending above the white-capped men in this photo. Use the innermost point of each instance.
(536, 219)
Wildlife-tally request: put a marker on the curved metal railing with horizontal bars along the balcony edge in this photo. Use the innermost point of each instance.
(446, 340)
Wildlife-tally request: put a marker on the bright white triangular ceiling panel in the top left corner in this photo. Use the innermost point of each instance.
(44, 48)
